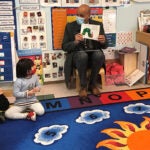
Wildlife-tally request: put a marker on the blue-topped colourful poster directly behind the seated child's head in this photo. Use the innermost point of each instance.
(36, 56)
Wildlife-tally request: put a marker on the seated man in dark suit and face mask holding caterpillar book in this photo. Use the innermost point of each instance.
(84, 53)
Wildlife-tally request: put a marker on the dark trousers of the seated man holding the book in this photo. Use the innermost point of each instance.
(83, 60)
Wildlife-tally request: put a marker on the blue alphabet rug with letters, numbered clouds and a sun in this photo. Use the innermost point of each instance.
(96, 123)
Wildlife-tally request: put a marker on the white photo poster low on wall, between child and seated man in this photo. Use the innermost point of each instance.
(53, 65)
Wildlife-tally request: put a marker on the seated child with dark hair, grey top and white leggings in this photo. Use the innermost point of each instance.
(26, 105)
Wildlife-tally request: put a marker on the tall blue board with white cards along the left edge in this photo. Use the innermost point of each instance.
(8, 40)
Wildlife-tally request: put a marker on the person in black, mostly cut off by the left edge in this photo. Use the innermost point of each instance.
(4, 105)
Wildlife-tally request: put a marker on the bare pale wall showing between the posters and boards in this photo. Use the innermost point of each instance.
(126, 19)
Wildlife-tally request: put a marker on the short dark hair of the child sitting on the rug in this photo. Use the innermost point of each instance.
(23, 66)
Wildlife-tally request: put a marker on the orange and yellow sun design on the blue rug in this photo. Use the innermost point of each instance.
(130, 137)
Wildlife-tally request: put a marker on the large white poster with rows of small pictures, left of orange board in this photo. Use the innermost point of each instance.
(32, 30)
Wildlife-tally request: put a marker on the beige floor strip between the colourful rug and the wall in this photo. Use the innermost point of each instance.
(59, 89)
